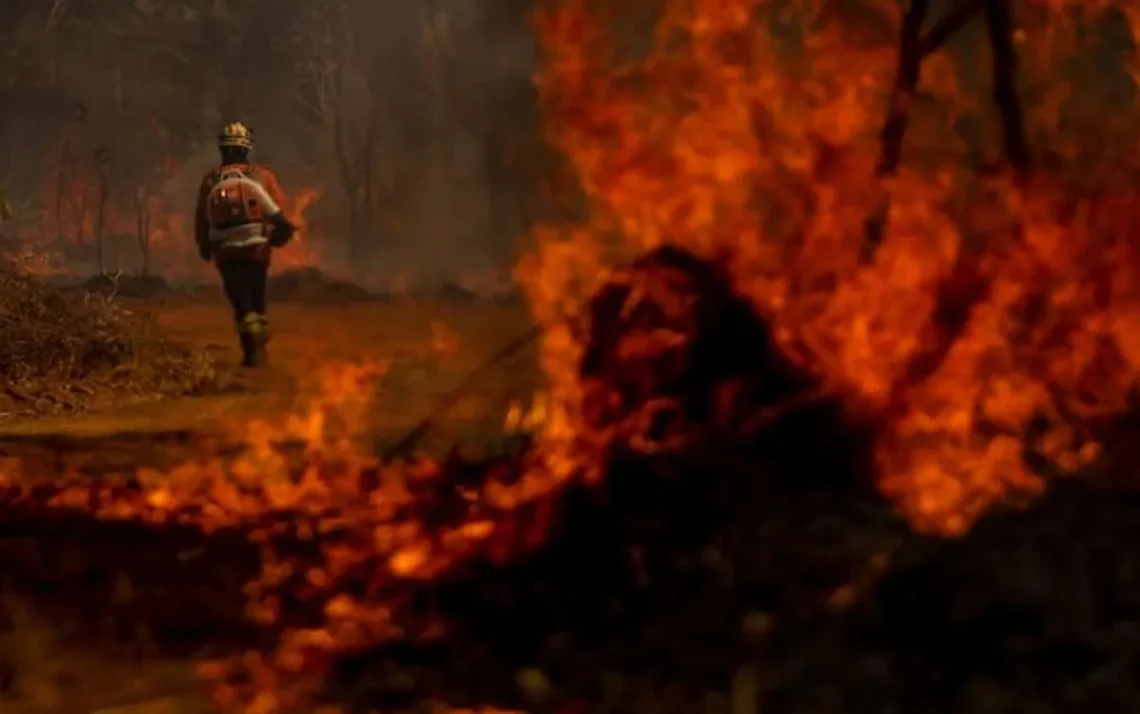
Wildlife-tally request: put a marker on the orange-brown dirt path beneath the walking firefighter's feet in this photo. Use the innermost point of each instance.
(428, 348)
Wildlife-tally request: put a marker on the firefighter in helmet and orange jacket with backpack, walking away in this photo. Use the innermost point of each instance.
(240, 222)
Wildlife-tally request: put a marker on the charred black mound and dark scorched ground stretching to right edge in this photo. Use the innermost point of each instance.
(758, 558)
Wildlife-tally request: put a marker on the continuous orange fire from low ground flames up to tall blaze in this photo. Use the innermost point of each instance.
(992, 305)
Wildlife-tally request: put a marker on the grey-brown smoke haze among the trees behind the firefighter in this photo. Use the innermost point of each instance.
(414, 120)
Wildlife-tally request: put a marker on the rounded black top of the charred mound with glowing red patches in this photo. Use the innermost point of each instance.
(673, 356)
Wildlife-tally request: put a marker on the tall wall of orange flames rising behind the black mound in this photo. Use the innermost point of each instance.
(750, 133)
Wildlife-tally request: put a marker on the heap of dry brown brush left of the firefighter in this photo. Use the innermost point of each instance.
(63, 348)
